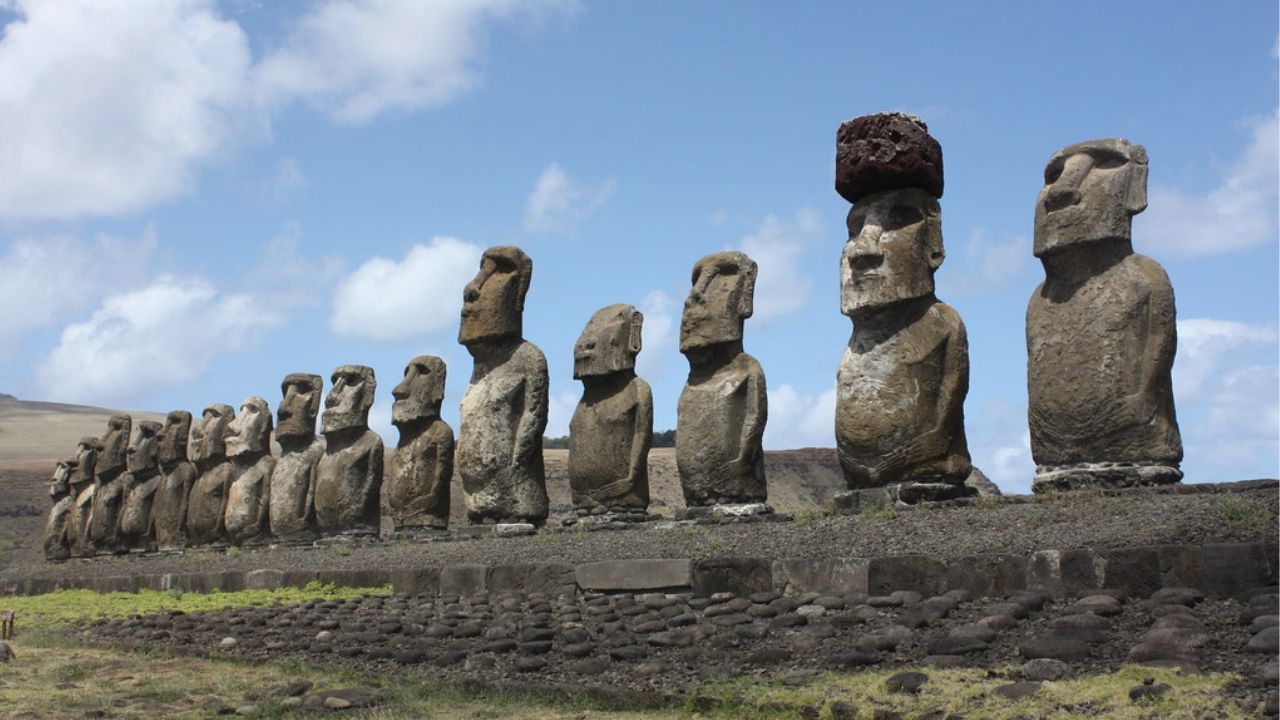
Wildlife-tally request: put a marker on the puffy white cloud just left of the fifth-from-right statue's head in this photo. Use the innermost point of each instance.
(388, 302)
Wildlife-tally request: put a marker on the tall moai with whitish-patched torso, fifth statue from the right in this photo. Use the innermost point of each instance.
(505, 408)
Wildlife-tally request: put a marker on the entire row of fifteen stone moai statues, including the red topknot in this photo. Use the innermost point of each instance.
(1100, 341)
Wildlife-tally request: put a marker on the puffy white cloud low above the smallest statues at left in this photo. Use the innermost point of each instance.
(159, 336)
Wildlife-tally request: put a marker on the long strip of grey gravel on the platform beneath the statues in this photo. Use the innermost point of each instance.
(1018, 526)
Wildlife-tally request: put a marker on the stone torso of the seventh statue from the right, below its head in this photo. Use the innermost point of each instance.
(349, 482)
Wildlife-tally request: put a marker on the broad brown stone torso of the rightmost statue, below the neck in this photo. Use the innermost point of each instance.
(1099, 361)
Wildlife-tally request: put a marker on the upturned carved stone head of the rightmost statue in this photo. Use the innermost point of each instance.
(1092, 192)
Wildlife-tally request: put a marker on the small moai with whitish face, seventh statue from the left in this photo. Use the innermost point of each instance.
(249, 446)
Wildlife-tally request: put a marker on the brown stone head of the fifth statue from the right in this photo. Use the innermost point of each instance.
(493, 303)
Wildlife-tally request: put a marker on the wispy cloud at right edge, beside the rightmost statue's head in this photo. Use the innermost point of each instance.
(1240, 213)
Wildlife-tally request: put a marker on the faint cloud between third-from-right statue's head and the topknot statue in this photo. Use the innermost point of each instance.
(781, 288)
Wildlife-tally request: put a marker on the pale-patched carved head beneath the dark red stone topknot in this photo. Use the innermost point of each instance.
(895, 245)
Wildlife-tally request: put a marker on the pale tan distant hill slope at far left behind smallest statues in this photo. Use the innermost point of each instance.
(35, 434)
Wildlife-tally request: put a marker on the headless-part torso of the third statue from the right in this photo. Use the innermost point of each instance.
(710, 435)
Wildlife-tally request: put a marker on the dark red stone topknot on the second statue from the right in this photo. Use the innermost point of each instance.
(886, 152)
